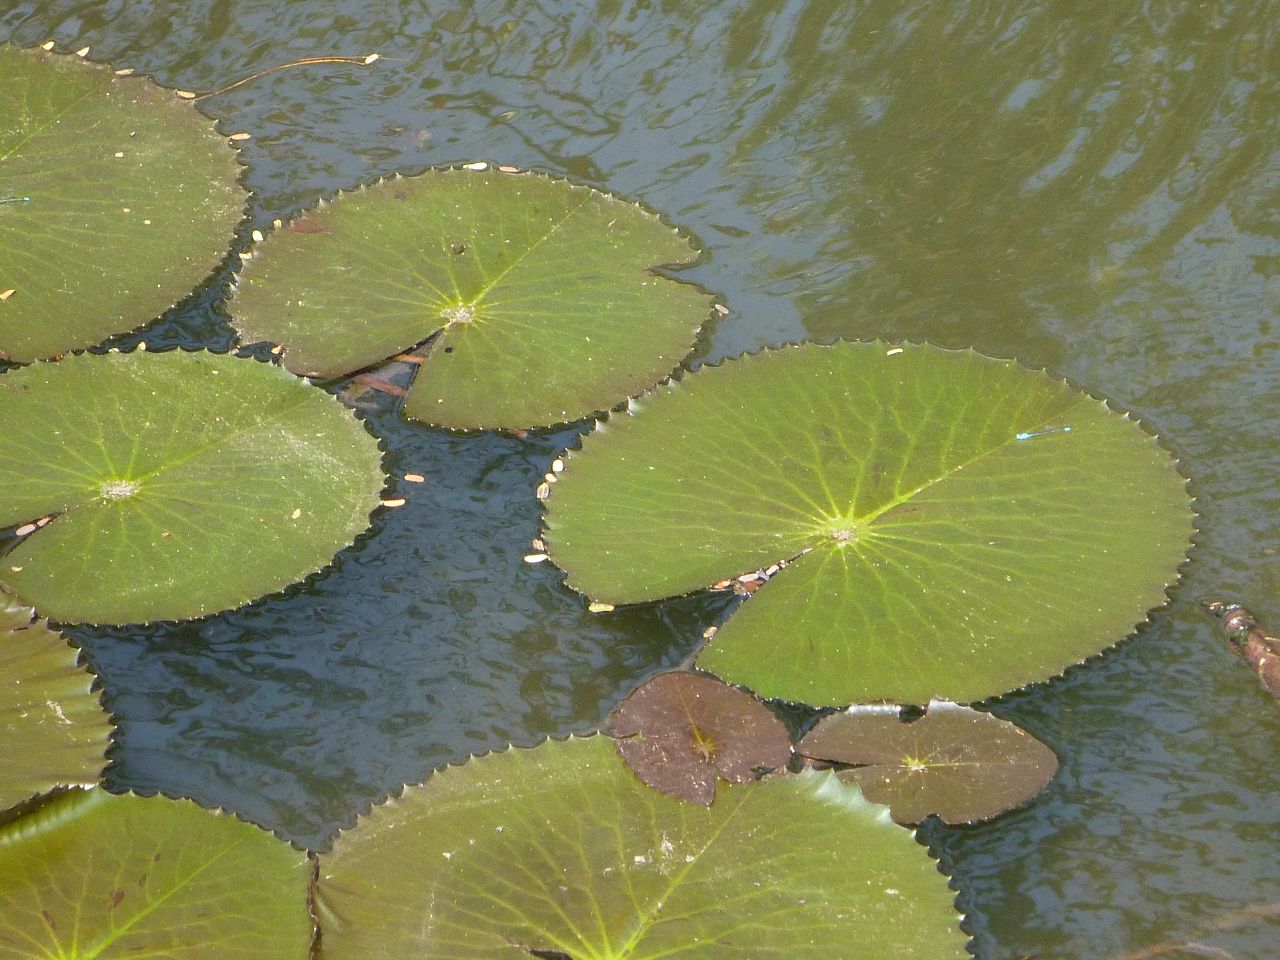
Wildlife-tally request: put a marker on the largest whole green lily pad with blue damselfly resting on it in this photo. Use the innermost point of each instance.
(957, 527)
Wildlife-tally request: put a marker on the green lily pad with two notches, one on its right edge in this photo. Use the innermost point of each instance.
(541, 295)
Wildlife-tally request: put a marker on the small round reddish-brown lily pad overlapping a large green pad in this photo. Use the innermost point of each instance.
(680, 732)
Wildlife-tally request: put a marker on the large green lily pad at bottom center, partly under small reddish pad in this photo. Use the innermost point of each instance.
(560, 852)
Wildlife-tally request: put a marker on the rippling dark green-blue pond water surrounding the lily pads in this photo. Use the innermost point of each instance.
(1091, 188)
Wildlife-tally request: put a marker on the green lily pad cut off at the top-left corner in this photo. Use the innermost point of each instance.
(117, 199)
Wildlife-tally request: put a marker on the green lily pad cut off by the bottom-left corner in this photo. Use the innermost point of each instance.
(90, 876)
